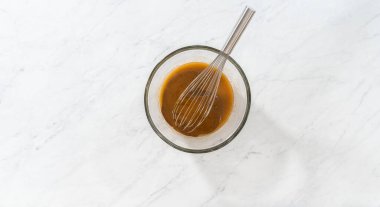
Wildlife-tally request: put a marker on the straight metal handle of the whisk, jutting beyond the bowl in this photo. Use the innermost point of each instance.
(238, 30)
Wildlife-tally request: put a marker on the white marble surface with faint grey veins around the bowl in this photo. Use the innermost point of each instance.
(73, 131)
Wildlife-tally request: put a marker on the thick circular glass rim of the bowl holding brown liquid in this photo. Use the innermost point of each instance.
(238, 129)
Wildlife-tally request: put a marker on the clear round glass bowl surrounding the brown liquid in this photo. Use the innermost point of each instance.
(208, 142)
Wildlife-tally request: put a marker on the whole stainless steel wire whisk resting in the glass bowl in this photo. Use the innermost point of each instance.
(196, 101)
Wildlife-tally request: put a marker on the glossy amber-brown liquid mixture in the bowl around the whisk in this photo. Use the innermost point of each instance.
(176, 83)
